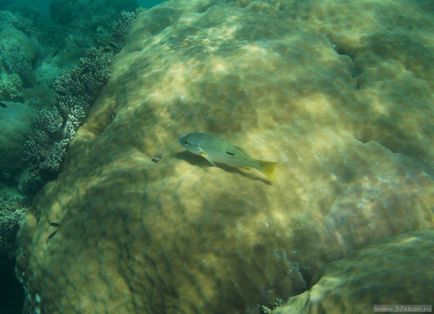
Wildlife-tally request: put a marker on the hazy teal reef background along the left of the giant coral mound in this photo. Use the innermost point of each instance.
(50, 75)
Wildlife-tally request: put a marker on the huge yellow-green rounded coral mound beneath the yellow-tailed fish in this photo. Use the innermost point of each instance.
(335, 97)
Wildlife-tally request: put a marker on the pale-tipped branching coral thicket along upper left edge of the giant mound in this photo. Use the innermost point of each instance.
(53, 129)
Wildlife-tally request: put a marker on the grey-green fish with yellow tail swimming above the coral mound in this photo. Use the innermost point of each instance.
(218, 150)
